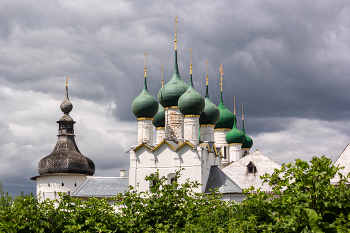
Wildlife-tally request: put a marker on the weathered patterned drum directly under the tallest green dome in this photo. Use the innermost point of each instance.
(174, 124)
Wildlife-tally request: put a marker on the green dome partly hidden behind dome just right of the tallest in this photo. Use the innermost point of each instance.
(211, 113)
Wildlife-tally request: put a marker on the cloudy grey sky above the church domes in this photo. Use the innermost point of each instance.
(289, 61)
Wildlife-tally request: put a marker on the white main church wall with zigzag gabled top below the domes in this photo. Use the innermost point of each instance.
(196, 162)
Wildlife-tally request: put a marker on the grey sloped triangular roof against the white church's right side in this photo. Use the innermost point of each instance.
(218, 179)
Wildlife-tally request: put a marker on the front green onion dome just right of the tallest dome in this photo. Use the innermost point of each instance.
(191, 102)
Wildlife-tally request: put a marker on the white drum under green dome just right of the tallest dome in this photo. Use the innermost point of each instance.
(191, 129)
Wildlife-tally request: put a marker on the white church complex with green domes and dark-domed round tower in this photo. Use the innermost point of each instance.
(192, 133)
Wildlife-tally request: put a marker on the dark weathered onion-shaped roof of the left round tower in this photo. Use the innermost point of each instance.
(66, 157)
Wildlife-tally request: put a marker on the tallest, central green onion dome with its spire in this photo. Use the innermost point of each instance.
(171, 92)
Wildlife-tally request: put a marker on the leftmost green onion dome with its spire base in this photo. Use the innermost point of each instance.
(145, 105)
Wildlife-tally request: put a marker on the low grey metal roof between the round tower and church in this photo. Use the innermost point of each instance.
(102, 187)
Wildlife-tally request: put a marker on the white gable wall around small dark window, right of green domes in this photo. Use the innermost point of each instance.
(238, 171)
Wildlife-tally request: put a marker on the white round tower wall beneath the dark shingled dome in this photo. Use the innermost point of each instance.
(49, 186)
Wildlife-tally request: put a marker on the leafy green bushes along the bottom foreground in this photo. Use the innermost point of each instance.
(306, 202)
